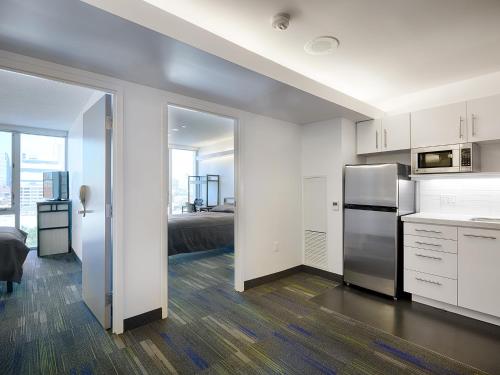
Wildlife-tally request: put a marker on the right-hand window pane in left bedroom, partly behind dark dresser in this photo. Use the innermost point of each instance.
(38, 154)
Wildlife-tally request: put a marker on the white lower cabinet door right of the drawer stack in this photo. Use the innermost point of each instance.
(478, 270)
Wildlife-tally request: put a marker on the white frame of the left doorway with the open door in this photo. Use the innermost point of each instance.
(48, 70)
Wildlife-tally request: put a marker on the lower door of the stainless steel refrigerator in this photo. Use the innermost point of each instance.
(370, 249)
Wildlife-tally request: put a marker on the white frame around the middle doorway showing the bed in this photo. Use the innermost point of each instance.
(165, 183)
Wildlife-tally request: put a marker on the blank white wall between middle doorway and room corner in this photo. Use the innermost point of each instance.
(271, 184)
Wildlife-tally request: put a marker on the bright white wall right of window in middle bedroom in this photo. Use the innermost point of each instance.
(221, 165)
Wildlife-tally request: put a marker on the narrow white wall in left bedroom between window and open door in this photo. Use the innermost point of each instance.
(74, 168)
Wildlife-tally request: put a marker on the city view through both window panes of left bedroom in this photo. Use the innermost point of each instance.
(38, 154)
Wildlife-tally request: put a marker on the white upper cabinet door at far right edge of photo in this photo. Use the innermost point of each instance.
(484, 119)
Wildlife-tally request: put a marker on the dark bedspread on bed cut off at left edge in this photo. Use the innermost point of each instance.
(13, 252)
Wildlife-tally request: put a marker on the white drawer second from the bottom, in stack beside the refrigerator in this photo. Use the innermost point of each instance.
(432, 262)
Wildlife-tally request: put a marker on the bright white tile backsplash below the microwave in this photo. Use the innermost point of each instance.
(466, 196)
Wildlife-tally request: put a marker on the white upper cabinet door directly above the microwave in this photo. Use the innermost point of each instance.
(439, 126)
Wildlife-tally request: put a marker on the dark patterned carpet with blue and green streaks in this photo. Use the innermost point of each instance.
(271, 329)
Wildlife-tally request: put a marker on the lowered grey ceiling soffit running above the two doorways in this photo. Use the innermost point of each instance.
(76, 34)
